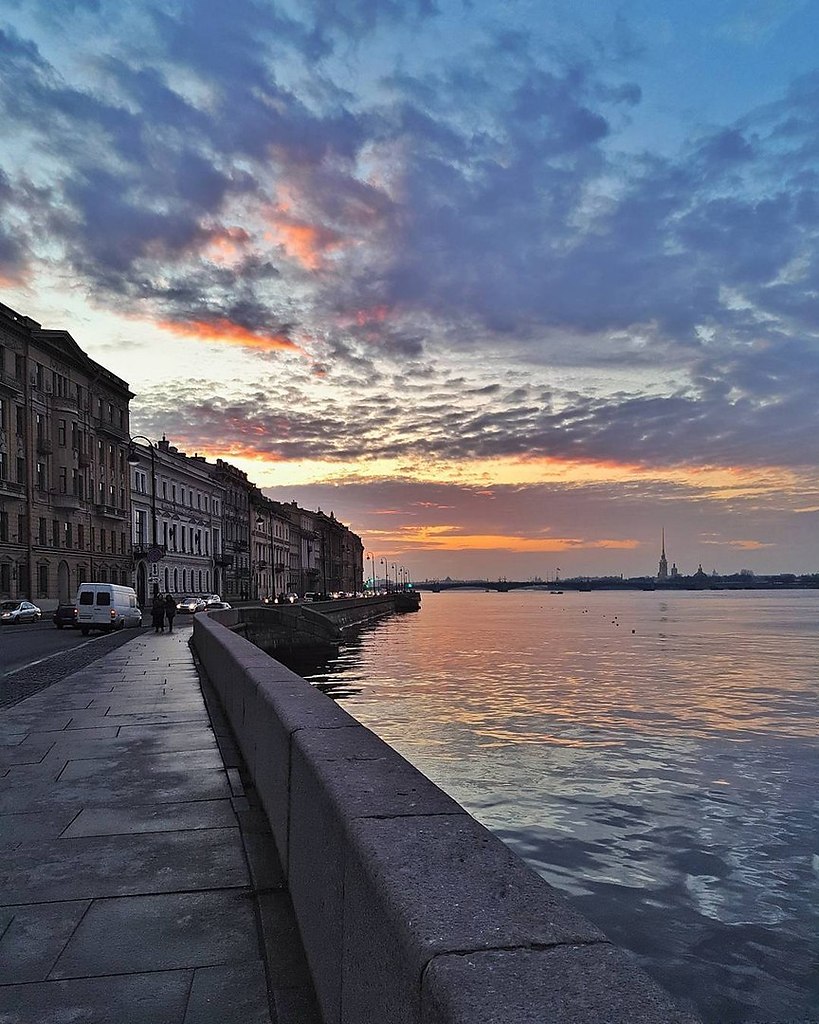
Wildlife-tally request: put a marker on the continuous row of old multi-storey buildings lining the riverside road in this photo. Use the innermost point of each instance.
(81, 500)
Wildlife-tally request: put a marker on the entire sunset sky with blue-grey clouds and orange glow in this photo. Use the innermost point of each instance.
(510, 286)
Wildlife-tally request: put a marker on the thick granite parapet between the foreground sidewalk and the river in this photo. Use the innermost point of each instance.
(411, 912)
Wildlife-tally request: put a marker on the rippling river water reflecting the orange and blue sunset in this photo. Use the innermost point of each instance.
(653, 755)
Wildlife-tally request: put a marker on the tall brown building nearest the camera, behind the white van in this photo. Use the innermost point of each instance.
(65, 494)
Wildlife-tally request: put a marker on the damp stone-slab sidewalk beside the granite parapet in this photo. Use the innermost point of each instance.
(139, 882)
